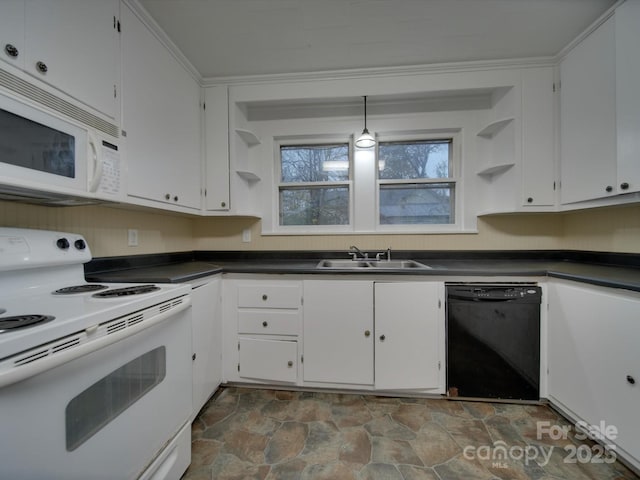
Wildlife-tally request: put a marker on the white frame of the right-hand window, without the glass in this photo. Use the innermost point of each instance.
(454, 180)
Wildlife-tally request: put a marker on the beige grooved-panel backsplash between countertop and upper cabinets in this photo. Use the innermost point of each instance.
(614, 229)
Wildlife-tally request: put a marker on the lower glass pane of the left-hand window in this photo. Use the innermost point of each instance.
(314, 206)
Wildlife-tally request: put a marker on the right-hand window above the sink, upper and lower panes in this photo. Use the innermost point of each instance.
(415, 182)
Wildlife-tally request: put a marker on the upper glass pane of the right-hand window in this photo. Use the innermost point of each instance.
(414, 160)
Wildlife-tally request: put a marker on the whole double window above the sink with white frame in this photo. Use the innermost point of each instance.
(409, 183)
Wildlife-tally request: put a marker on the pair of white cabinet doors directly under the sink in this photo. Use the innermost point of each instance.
(385, 335)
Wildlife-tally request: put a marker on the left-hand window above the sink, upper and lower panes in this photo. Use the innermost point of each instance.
(314, 187)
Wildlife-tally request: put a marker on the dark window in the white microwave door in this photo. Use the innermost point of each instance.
(28, 144)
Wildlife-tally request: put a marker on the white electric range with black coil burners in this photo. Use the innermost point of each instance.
(95, 379)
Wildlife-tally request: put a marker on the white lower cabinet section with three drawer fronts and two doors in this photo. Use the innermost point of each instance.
(335, 333)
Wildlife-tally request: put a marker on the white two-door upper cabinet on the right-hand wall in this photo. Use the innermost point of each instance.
(600, 111)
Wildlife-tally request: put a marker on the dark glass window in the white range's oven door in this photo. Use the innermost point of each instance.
(103, 401)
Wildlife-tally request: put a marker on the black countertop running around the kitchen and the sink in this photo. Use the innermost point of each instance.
(604, 269)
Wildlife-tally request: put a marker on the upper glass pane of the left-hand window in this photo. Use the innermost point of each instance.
(314, 163)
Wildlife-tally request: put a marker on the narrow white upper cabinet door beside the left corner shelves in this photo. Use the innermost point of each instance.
(217, 148)
